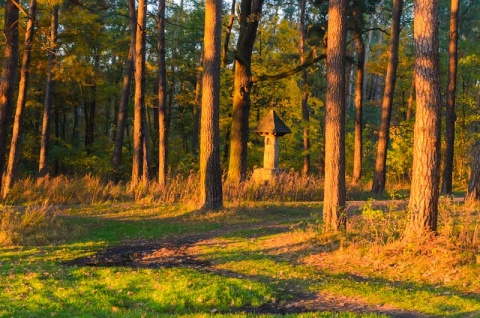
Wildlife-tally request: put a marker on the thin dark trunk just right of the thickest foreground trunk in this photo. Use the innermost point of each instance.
(450, 108)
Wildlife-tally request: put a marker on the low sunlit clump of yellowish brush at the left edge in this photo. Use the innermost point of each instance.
(33, 226)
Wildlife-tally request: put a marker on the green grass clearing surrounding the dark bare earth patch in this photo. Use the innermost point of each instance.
(258, 256)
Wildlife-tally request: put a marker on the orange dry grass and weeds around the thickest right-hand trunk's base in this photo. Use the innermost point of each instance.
(373, 247)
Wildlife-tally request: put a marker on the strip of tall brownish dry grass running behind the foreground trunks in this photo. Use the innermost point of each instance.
(289, 186)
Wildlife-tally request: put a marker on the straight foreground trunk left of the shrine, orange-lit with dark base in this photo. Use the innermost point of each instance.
(210, 169)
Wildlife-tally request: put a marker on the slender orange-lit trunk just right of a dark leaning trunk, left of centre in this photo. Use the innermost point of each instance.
(139, 99)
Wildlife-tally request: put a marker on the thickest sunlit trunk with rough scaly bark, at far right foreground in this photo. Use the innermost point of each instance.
(423, 204)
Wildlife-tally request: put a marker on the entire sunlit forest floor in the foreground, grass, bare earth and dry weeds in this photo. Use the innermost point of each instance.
(260, 259)
